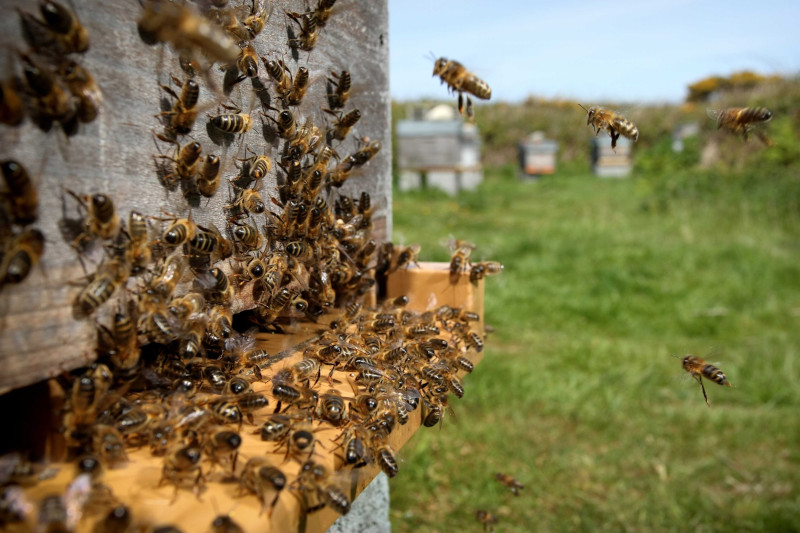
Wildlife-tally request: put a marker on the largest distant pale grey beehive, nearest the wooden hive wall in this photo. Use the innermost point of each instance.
(441, 151)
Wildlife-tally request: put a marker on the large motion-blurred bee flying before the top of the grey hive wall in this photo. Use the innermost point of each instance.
(166, 22)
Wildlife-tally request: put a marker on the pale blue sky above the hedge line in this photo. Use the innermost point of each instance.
(594, 51)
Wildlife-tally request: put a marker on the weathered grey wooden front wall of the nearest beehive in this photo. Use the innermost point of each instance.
(115, 154)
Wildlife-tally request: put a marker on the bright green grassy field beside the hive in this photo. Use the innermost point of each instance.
(578, 396)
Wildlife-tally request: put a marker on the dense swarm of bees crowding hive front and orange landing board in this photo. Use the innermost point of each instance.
(178, 374)
